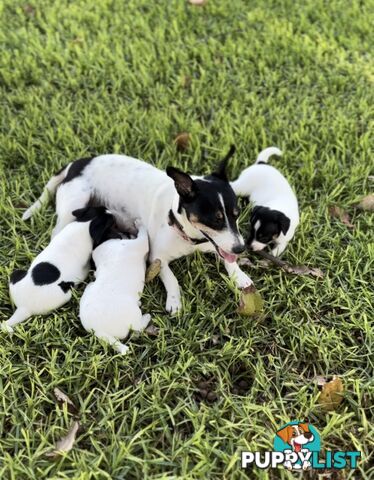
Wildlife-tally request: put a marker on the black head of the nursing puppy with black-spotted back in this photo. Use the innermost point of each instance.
(101, 220)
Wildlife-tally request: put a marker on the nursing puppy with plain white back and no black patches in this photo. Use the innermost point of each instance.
(110, 305)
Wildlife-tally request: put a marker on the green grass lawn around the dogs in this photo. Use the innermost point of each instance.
(121, 76)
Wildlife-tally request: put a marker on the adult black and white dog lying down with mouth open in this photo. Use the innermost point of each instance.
(181, 213)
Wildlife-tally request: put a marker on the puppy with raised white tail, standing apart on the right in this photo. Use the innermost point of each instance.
(275, 215)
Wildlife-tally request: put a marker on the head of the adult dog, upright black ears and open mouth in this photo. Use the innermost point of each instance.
(209, 204)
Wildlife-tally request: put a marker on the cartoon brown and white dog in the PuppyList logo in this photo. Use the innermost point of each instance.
(297, 436)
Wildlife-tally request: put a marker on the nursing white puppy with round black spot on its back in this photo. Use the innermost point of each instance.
(47, 284)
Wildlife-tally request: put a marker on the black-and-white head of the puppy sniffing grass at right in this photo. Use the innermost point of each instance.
(266, 225)
